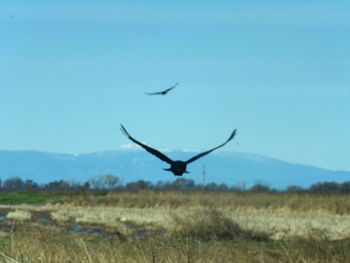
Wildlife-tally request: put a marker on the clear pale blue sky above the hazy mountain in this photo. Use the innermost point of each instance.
(278, 71)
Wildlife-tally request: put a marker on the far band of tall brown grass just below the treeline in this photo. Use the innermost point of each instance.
(325, 203)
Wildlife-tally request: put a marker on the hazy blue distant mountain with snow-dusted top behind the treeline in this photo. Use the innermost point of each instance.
(131, 165)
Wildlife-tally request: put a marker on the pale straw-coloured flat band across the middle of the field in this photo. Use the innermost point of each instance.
(276, 224)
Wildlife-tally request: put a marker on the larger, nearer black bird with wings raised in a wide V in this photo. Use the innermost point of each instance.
(176, 167)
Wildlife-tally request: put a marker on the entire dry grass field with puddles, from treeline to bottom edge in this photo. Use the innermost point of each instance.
(151, 226)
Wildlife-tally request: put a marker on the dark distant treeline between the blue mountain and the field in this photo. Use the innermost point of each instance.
(110, 182)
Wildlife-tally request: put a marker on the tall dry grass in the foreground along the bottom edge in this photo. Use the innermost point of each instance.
(47, 244)
